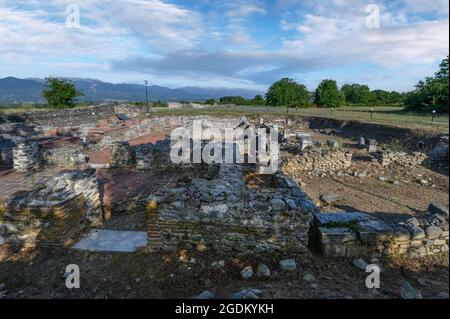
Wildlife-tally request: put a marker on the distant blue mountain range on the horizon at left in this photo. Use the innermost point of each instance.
(13, 90)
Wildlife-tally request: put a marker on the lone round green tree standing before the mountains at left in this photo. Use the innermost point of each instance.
(60, 93)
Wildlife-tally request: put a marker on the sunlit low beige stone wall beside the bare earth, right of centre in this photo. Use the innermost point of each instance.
(321, 160)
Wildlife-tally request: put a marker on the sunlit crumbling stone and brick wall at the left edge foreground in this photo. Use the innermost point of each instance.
(54, 213)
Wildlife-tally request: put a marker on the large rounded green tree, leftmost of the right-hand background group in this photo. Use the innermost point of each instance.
(287, 92)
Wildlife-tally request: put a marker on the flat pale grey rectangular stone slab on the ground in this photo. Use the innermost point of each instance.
(100, 240)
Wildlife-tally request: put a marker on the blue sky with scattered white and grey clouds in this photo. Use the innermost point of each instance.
(237, 43)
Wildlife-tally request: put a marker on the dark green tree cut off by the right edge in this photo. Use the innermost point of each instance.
(431, 93)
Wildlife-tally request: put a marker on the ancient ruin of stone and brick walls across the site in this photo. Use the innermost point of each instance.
(66, 172)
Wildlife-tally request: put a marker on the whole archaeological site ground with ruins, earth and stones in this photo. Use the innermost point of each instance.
(95, 187)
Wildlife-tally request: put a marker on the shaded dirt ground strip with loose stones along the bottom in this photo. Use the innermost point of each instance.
(40, 274)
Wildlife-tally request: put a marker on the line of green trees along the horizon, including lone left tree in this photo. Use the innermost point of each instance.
(429, 94)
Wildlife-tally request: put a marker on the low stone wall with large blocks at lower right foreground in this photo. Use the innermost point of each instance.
(361, 235)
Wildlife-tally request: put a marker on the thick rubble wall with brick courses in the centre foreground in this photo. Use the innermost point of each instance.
(222, 215)
